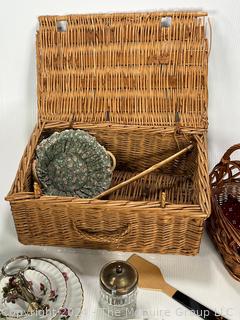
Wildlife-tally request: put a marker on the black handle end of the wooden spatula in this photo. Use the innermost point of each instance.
(196, 307)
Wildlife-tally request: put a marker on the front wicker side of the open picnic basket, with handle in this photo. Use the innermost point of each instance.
(110, 225)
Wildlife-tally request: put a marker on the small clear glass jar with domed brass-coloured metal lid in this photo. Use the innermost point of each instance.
(118, 290)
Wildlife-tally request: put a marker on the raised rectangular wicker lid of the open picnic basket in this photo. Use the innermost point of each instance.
(128, 69)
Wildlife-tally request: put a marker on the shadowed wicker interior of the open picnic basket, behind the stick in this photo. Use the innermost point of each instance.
(138, 149)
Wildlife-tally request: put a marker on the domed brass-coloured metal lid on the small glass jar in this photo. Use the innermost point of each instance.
(118, 278)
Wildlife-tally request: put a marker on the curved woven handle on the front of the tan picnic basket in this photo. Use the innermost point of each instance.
(104, 237)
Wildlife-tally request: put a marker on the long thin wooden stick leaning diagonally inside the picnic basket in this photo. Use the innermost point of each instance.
(144, 173)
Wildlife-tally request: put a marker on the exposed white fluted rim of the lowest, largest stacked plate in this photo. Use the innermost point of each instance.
(74, 301)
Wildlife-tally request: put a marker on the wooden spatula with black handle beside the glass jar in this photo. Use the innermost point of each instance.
(150, 277)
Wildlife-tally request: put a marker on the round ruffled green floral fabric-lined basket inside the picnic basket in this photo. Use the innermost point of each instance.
(73, 163)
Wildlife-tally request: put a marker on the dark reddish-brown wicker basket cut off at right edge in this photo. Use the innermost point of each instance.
(225, 183)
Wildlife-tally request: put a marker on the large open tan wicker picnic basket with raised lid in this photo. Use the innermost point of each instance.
(138, 83)
